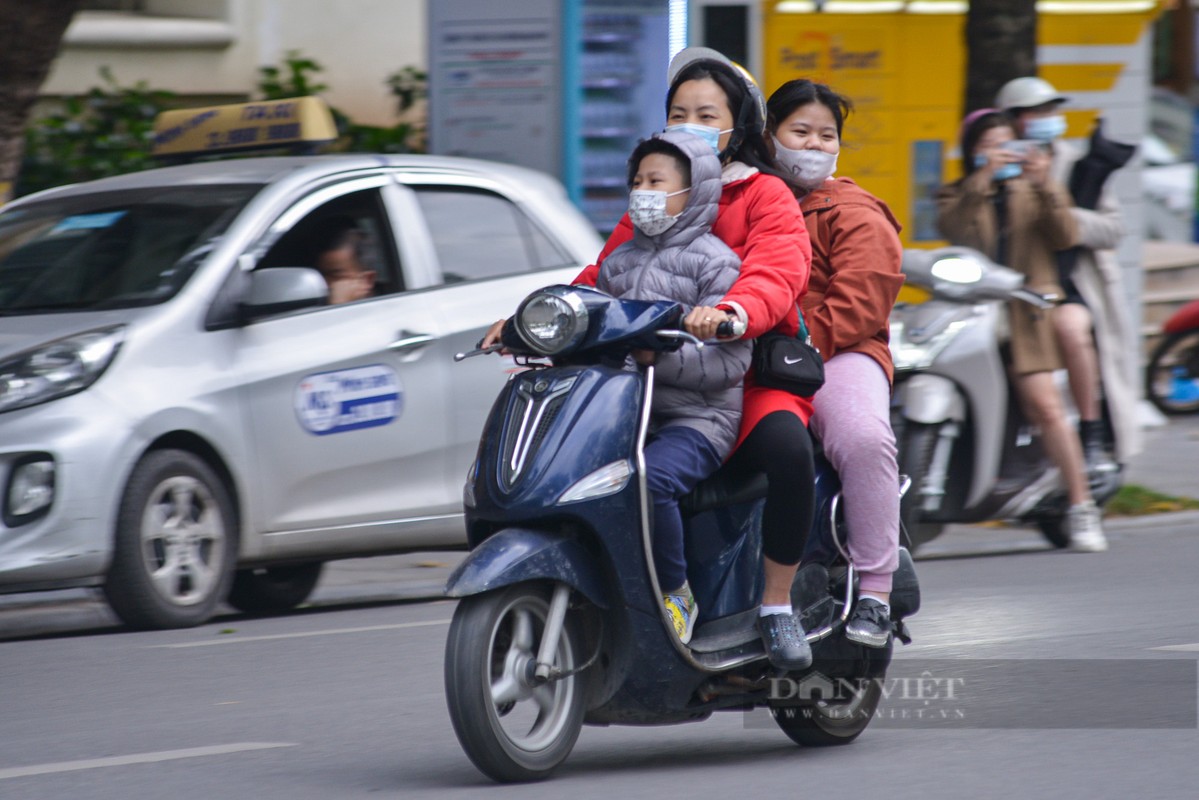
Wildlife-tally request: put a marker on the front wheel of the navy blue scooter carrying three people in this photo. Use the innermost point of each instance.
(511, 727)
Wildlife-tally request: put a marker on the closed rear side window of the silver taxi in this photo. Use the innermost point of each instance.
(480, 234)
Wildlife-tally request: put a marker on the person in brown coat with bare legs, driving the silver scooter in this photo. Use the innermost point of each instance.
(1009, 207)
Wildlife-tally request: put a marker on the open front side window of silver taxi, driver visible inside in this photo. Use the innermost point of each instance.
(350, 243)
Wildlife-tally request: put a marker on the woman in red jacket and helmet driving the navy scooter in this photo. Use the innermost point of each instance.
(761, 221)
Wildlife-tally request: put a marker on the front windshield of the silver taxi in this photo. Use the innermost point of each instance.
(111, 250)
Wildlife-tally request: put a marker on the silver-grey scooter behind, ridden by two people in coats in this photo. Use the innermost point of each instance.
(965, 441)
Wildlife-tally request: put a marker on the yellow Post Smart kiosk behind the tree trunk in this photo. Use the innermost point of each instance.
(905, 67)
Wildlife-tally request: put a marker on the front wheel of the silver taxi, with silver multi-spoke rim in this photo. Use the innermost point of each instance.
(176, 546)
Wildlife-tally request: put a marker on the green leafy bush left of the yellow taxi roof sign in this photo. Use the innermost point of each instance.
(106, 133)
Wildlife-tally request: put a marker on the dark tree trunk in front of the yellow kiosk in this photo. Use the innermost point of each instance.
(1002, 44)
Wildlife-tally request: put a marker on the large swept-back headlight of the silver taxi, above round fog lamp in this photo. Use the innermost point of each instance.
(58, 369)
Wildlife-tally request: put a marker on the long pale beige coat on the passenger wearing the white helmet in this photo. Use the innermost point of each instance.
(1099, 280)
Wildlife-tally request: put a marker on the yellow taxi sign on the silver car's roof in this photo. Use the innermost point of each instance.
(244, 127)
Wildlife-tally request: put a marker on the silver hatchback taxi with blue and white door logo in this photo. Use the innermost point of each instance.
(186, 419)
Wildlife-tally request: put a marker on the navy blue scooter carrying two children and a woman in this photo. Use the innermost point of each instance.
(561, 621)
